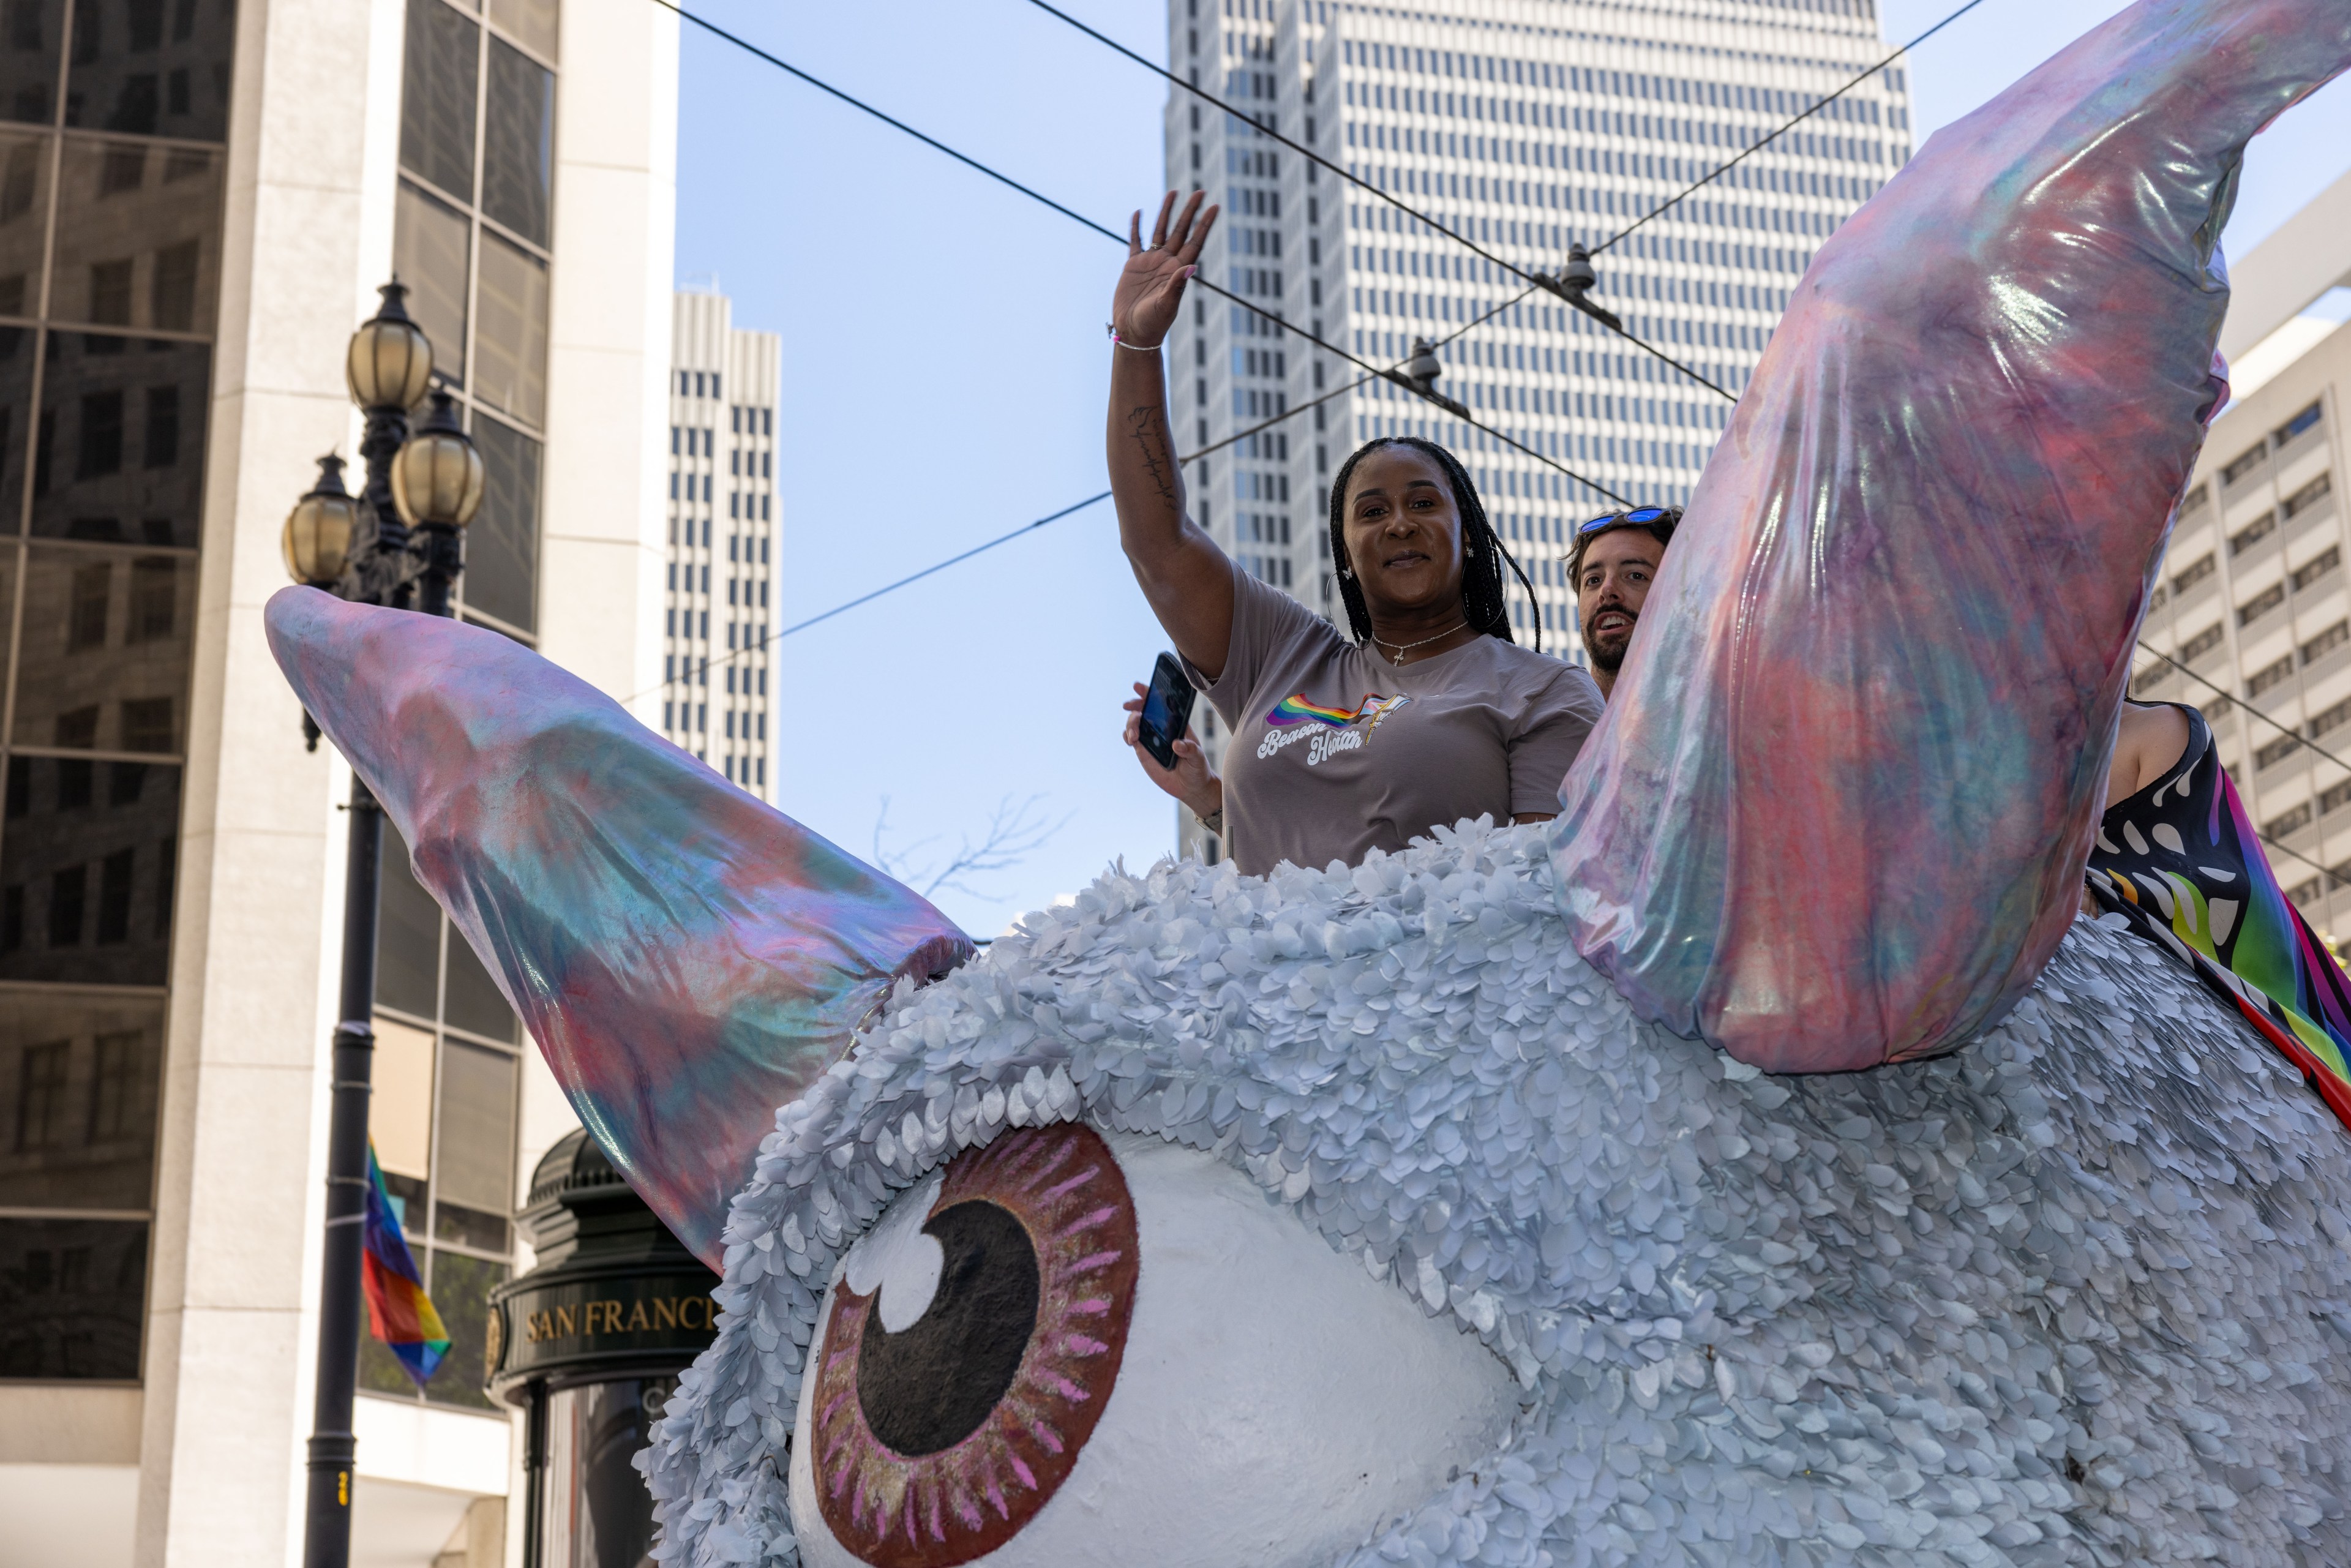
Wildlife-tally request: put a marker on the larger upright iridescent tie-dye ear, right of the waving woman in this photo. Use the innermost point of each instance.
(1842, 803)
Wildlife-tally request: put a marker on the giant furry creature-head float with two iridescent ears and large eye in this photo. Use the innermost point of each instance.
(1473, 1205)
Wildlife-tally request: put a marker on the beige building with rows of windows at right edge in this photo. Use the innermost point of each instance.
(2251, 615)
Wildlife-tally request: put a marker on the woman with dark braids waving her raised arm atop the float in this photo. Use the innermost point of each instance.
(1424, 713)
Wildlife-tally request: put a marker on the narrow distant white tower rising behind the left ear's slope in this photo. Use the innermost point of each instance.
(723, 540)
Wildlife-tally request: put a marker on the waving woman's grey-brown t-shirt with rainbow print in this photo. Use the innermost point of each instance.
(1337, 751)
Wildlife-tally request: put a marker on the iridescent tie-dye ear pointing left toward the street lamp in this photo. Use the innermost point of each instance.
(685, 956)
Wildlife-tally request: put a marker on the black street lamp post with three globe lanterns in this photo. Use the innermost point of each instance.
(398, 544)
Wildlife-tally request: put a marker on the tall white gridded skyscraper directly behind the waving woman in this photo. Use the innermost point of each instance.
(1525, 126)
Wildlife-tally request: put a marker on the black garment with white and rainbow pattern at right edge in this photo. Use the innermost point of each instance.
(2183, 864)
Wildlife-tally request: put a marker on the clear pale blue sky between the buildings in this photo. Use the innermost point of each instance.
(944, 382)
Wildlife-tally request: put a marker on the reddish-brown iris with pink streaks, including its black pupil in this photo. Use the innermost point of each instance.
(939, 1442)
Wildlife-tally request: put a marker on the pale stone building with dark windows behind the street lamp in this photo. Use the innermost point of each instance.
(196, 208)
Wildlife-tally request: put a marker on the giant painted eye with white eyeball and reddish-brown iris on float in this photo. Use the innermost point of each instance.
(1080, 1346)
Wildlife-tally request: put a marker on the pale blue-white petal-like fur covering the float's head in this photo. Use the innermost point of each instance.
(2070, 1296)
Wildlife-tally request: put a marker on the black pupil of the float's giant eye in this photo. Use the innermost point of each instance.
(930, 1388)
